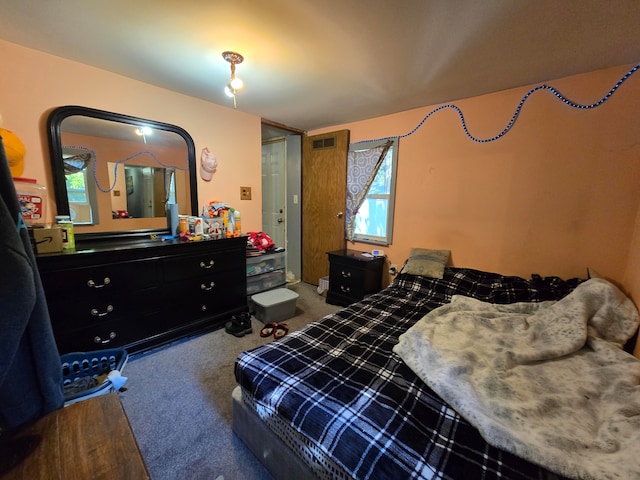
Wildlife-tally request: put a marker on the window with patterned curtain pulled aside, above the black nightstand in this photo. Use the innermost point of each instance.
(370, 199)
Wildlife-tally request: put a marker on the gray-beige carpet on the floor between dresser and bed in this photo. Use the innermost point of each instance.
(178, 400)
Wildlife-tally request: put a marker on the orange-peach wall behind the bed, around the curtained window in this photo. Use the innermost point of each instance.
(557, 194)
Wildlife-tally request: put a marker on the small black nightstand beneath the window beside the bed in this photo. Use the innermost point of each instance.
(352, 276)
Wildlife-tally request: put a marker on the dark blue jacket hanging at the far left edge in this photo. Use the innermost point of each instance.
(30, 368)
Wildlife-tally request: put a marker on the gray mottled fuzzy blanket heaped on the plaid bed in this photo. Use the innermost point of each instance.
(547, 381)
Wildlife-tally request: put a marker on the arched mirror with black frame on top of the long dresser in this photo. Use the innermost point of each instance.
(115, 174)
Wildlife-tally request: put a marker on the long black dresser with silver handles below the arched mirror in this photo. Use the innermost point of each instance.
(143, 294)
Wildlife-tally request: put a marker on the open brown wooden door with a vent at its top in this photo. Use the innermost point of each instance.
(324, 197)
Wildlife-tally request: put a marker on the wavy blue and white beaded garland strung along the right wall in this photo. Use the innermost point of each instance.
(516, 114)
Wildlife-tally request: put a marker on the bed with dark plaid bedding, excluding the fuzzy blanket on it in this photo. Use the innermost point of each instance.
(334, 400)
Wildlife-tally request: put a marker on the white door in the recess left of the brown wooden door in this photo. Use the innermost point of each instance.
(274, 191)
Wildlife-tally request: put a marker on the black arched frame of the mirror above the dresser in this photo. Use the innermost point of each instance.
(59, 185)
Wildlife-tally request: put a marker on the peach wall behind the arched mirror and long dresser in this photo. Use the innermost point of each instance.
(34, 83)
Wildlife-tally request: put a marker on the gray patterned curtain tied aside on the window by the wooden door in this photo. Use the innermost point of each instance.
(362, 168)
